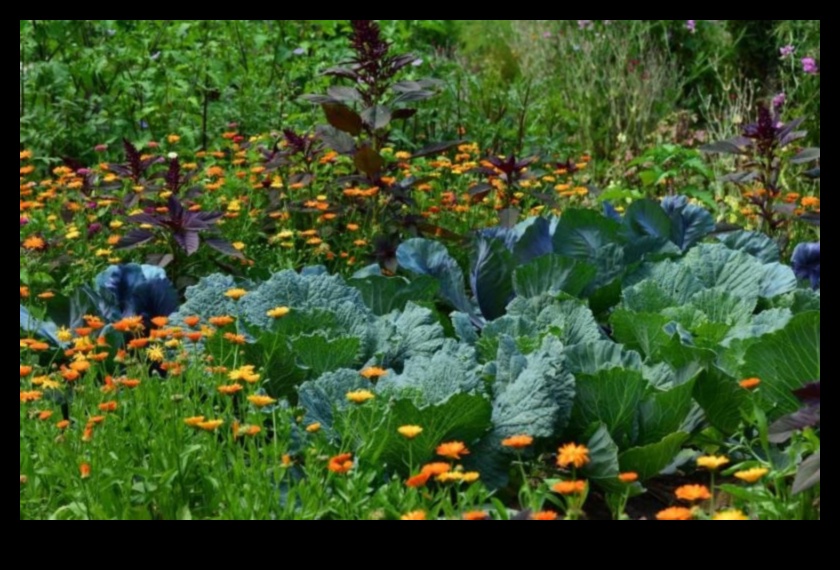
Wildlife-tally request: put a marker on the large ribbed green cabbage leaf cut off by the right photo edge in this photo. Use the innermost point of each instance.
(786, 360)
